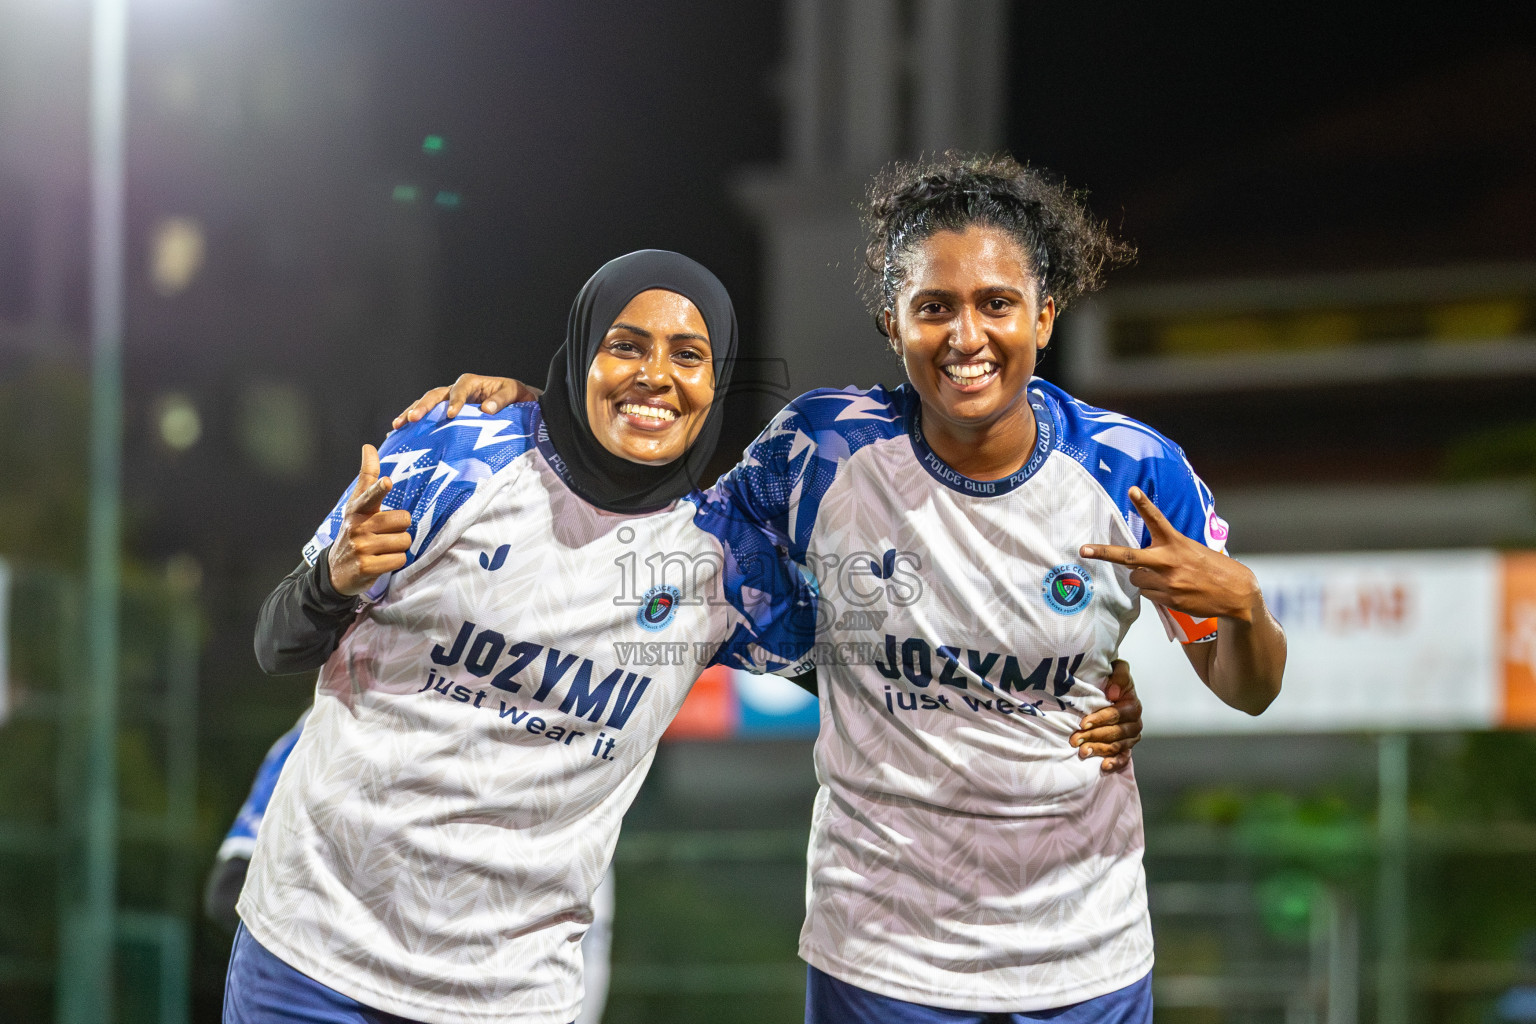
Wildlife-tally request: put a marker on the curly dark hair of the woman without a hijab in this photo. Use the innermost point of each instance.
(1068, 249)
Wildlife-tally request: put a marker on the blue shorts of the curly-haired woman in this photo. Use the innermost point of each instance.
(833, 1002)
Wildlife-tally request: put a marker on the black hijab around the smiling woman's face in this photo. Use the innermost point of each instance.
(592, 471)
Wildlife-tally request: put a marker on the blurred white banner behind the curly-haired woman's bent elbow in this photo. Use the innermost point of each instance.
(1377, 642)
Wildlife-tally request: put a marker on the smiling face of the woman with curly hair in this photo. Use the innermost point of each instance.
(968, 325)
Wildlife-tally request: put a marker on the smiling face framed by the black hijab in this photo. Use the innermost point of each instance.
(652, 383)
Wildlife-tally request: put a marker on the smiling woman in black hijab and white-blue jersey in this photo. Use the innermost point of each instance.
(489, 618)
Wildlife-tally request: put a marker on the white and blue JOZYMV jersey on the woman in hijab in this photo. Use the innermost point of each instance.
(434, 845)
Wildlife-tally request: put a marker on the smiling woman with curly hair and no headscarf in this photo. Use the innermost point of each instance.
(965, 864)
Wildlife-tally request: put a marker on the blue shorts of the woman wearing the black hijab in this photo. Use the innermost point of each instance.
(262, 989)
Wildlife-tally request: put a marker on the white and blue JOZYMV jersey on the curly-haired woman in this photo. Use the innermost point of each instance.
(962, 856)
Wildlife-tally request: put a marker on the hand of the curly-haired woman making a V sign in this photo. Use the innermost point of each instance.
(1180, 573)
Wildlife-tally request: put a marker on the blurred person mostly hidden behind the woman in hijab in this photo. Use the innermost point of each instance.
(234, 860)
